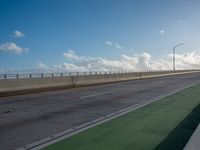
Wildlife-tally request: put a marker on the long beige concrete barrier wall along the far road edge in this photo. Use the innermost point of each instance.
(16, 85)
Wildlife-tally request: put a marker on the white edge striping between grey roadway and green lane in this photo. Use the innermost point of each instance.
(75, 130)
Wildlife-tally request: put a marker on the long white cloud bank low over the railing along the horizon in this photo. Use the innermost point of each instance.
(137, 62)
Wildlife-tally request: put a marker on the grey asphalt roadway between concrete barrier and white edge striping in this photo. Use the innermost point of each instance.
(28, 118)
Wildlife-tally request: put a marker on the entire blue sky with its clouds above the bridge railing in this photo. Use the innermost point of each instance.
(95, 35)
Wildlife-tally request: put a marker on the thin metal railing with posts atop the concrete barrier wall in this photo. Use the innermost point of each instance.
(65, 74)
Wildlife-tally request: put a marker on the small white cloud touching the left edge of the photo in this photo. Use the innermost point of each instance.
(12, 47)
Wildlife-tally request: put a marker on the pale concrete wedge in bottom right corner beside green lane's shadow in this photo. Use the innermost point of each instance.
(194, 141)
